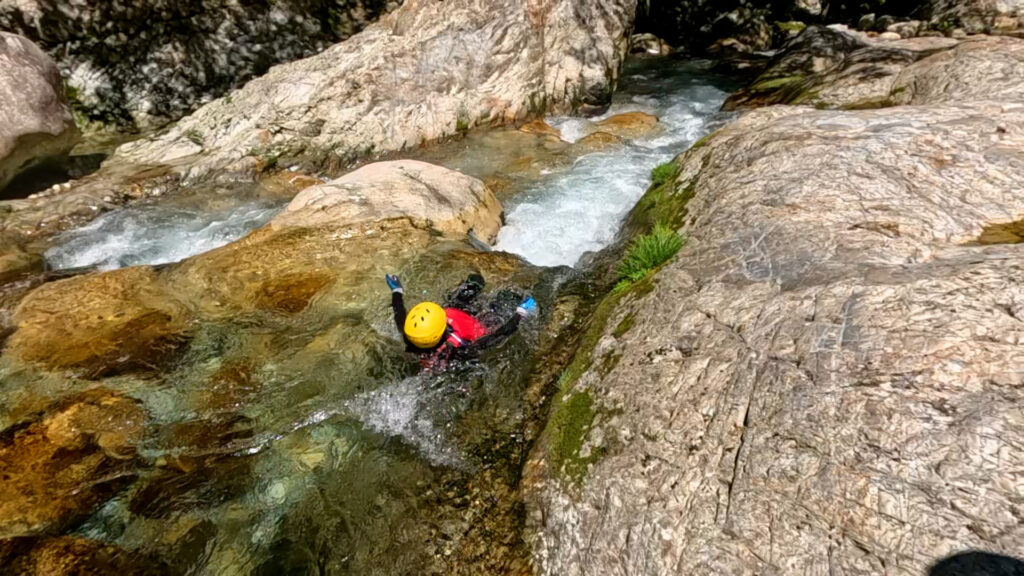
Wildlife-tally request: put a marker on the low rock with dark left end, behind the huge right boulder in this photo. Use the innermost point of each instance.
(826, 68)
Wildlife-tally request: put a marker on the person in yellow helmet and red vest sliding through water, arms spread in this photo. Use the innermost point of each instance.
(441, 335)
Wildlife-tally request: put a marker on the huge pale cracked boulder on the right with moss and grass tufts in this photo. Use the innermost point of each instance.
(828, 379)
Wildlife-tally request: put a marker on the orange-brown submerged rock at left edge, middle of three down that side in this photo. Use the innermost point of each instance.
(59, 468)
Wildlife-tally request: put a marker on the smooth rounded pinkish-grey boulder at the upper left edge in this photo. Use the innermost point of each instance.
(36, 125)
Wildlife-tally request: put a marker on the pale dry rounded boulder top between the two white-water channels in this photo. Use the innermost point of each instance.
(431, 196)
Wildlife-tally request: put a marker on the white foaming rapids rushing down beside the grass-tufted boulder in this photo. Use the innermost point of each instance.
(575, 212)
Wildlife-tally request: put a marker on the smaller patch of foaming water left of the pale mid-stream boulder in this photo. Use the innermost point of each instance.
(156, 234)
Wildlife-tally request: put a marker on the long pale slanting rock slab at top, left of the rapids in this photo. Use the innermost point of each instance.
(426, 71)
